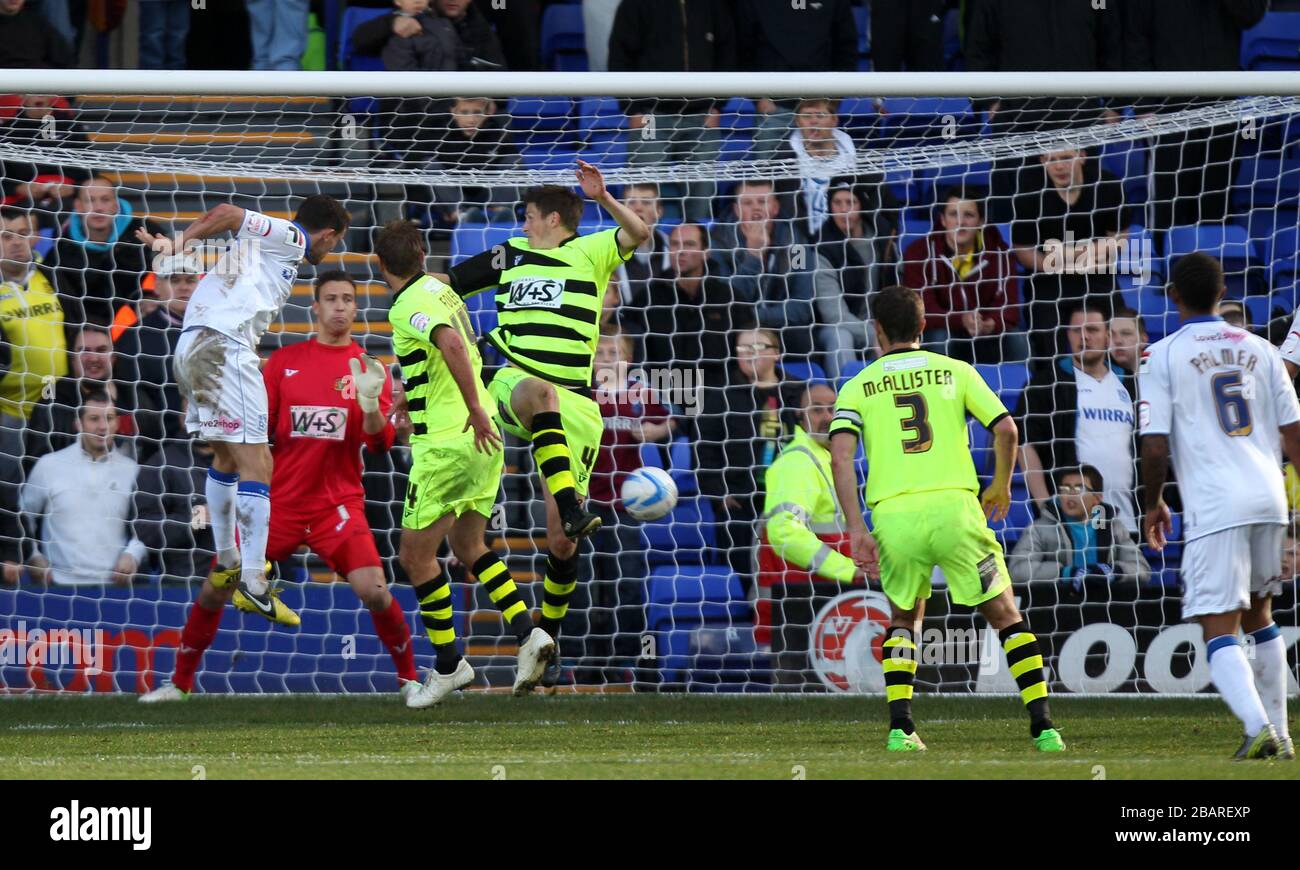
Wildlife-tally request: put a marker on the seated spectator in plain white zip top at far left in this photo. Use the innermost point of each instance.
(79, 501)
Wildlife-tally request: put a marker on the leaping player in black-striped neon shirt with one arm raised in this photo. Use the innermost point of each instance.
(551, 289)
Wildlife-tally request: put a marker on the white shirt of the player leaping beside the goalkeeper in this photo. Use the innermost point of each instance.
(252, 280)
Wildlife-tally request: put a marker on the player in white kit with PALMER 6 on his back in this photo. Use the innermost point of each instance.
(1220, 401)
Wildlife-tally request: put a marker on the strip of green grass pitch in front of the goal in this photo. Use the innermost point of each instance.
(486, 737)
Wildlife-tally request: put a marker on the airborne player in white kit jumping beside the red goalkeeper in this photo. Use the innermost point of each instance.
(218, 371)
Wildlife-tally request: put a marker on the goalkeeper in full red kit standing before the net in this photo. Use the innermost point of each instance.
(327, 400)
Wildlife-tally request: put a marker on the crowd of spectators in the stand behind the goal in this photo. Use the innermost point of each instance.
(747, 283)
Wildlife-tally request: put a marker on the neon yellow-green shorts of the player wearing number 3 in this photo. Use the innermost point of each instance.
(918, 531)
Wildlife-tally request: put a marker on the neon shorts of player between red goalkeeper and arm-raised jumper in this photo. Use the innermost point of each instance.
(450, 477)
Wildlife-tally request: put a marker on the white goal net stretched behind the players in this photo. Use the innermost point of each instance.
(1039, 230)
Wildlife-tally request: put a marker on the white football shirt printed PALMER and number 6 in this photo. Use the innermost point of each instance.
(1221, 395)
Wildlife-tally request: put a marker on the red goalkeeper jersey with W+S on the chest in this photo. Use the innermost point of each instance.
(318, 426)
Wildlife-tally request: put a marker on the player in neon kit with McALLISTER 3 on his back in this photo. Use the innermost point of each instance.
(909, 410)
